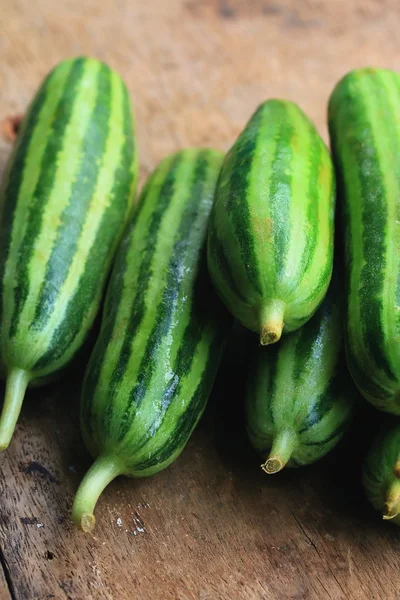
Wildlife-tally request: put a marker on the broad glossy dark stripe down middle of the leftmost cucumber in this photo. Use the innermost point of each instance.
(75, 213)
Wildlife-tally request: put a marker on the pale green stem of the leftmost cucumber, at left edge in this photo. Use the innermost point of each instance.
(17, 382)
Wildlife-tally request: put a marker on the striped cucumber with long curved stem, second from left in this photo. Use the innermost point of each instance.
(162, 334)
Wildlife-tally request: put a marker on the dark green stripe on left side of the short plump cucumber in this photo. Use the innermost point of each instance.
(241, 157)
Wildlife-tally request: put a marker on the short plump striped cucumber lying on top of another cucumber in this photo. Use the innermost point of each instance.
(270, 245)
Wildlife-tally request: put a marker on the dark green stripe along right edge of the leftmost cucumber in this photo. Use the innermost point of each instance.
(96, 268)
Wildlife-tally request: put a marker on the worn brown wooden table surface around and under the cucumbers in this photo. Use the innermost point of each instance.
(212, 526)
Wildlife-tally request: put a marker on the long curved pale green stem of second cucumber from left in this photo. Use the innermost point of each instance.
(100, 474)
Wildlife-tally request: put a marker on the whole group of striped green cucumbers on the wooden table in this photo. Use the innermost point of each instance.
(213, 238)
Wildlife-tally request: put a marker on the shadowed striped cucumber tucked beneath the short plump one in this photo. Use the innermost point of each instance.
(300, 397)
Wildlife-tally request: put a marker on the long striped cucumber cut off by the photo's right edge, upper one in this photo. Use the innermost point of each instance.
(365, 133)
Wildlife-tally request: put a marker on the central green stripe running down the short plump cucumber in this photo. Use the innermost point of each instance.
(280, 197)
